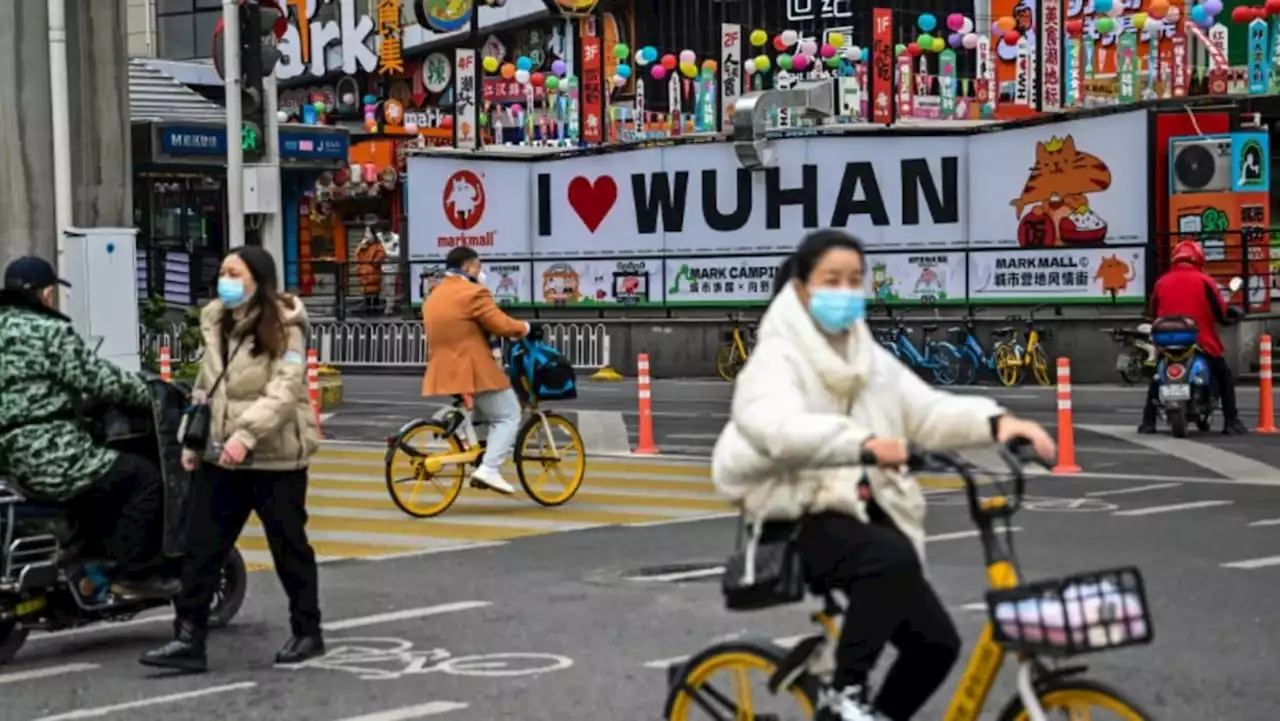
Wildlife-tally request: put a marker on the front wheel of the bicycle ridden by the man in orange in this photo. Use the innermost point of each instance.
(551, 469)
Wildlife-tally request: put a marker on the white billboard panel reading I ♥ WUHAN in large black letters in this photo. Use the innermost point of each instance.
(697, 199)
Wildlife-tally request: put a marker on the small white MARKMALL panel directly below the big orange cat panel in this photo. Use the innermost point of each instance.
(1067, 276)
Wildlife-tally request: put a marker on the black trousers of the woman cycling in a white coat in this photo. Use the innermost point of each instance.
(889, 603)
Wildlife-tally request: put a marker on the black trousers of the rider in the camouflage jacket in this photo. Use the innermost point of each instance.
(122, 515)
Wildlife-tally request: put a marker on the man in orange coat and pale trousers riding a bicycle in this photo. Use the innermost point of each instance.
(459, 317)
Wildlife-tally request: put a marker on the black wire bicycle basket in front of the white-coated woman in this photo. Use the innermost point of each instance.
(1073, 615)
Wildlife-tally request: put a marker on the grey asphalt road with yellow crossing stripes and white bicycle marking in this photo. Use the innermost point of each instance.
(500, 609)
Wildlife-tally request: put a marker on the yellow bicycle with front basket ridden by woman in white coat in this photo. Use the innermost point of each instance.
(1039, 623)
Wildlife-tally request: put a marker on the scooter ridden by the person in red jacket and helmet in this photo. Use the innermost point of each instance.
(1186, 385)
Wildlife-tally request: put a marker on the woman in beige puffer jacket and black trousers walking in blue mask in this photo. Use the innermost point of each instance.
(262, 440)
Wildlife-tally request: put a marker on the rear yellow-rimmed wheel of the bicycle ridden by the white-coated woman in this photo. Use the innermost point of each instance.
(738, 665)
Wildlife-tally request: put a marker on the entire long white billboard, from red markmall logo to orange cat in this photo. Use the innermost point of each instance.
(999, 217)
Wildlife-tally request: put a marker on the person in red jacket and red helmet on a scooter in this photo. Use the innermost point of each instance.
(1187, 290)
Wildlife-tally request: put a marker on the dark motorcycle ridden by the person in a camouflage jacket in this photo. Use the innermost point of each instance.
(51, 578)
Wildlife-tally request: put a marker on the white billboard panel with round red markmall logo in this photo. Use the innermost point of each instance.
(456, 202)
